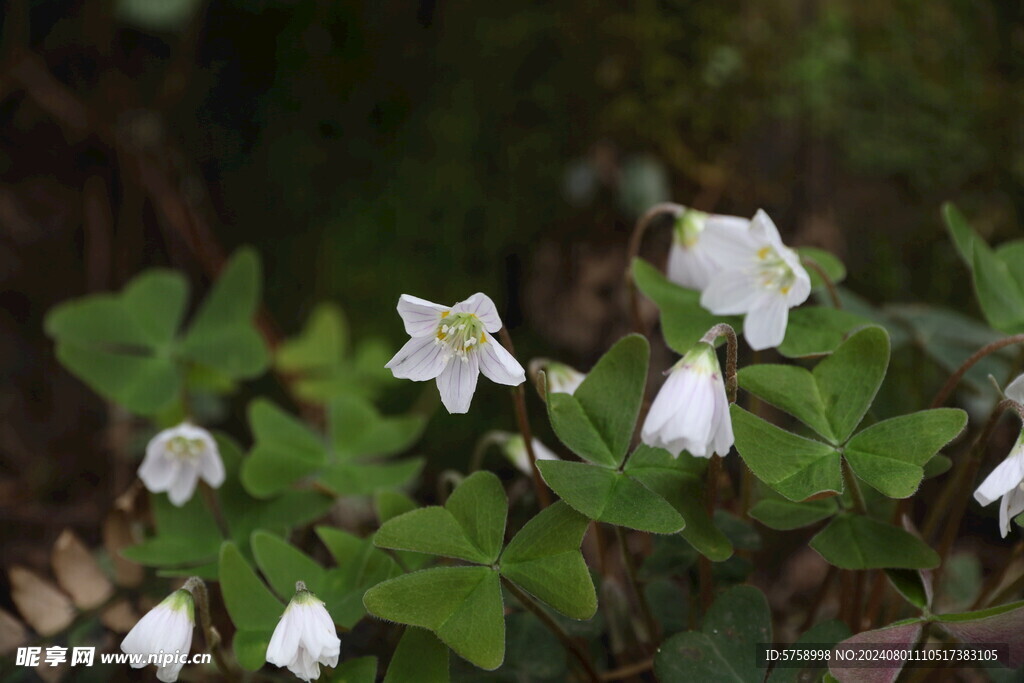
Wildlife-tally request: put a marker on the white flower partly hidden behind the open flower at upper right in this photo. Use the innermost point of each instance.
(701, 243)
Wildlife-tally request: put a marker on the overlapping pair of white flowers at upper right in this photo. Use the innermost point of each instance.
(741, 268)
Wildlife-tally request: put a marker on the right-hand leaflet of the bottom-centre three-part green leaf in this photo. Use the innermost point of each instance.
(544, 559)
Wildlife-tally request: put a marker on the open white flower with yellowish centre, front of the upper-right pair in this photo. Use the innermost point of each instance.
(761, 278)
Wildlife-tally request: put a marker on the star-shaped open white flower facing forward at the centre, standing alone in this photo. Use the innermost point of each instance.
(454, 346)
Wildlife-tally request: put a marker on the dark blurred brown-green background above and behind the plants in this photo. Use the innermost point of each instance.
(445, 147)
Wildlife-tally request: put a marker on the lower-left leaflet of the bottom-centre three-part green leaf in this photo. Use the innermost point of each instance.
(461, 606)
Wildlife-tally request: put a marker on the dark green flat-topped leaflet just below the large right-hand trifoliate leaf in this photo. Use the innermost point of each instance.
(854, 542)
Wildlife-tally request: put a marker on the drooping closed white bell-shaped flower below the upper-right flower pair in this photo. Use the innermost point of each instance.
(692, 411)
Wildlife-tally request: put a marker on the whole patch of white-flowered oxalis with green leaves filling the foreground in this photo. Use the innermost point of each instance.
(626, 547)
